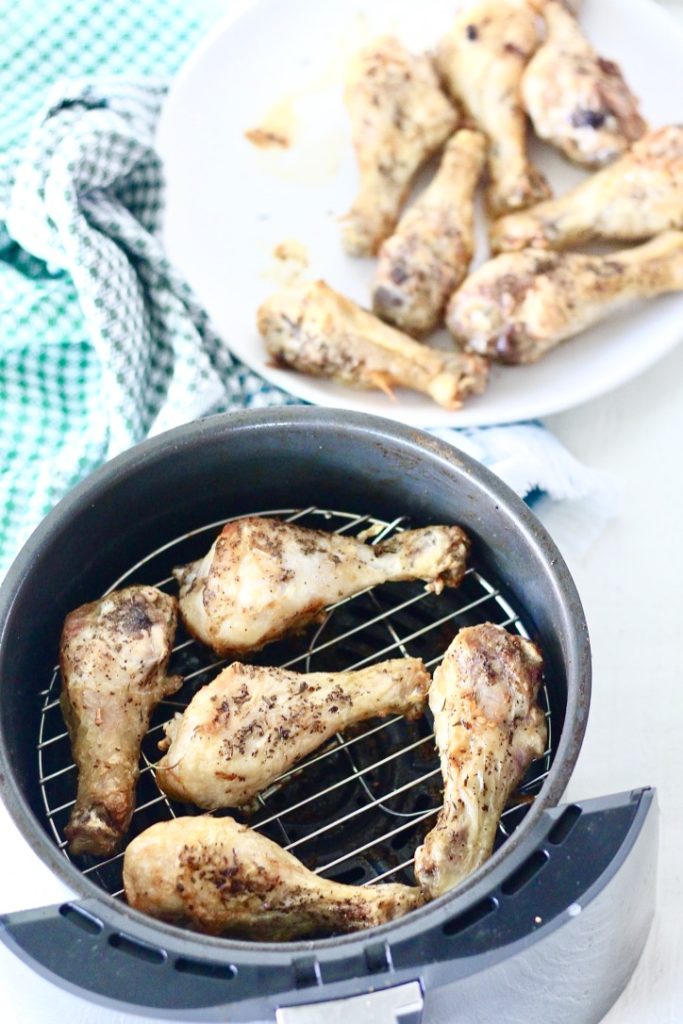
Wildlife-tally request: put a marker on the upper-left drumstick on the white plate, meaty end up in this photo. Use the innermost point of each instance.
(400, 117)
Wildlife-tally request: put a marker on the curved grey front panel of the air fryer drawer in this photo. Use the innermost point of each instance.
(586, 886)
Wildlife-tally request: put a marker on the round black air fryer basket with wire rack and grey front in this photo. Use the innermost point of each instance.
(549, 930)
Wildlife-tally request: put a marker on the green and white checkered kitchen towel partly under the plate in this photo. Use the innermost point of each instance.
(102, 344)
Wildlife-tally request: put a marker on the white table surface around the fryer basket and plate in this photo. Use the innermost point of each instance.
(631, 582)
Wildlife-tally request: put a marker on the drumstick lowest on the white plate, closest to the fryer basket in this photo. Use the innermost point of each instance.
(317, 331)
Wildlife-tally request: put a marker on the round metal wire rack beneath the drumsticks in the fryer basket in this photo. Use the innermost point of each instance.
(357, 809)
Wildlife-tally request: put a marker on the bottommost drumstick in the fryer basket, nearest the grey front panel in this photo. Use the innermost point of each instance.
(221, 878)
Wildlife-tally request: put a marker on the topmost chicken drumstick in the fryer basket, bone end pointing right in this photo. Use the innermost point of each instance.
(265, 578)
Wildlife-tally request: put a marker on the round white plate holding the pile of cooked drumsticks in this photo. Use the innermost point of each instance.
(281, 64)
